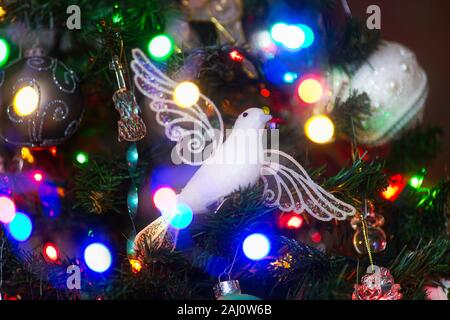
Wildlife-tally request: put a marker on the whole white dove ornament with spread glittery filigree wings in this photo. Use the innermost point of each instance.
(238, 161)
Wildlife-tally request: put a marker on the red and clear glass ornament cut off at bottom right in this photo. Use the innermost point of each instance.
(377, 285)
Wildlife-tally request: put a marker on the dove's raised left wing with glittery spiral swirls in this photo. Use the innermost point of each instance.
(197, 139)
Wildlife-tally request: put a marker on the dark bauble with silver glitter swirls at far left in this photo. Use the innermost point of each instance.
(40, 101)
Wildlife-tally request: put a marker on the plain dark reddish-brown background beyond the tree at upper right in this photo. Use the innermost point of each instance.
(424, 27)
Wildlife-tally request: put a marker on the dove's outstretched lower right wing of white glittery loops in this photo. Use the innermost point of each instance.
(288, 186)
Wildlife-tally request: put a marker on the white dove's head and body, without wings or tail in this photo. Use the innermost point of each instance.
(236, 164)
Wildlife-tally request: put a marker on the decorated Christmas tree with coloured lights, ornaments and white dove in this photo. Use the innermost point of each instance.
(229, 149)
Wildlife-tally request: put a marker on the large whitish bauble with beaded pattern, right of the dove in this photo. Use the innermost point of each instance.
(396, 85)
